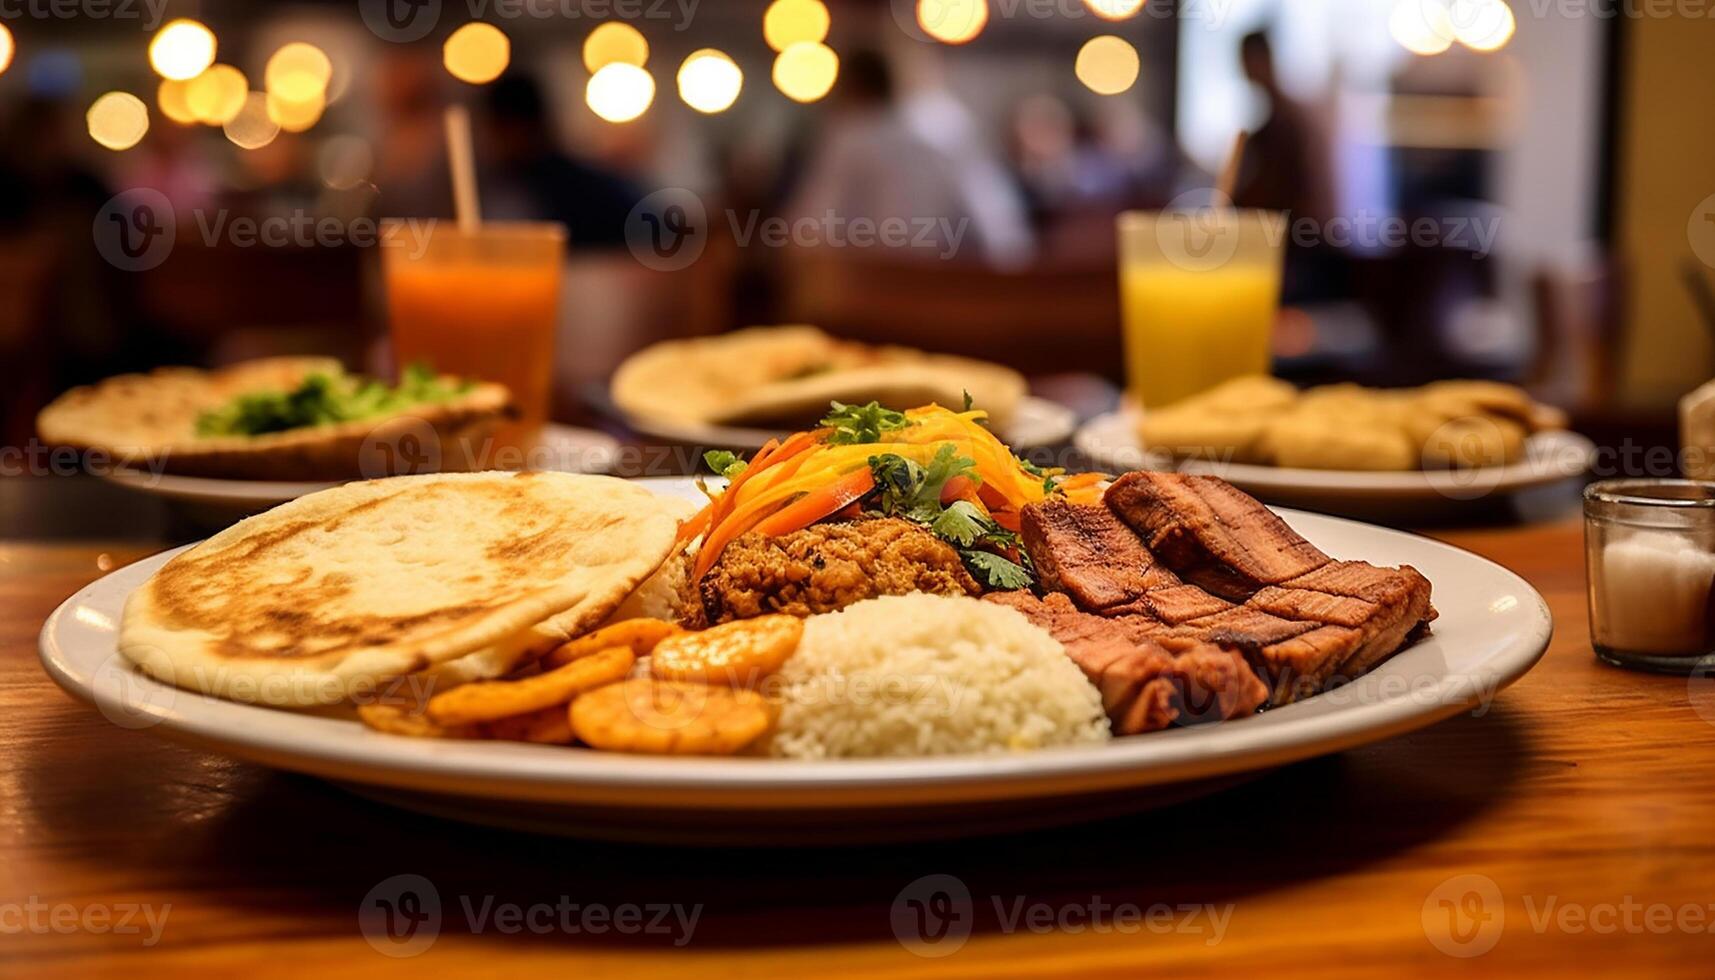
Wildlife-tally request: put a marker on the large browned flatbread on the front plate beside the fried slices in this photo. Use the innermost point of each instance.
(337, 593)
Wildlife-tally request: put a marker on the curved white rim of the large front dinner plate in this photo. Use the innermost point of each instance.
(611, 780)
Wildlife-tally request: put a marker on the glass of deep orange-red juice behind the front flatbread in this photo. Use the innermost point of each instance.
(479, 305)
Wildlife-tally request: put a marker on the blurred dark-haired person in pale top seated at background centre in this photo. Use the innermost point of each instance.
(917, 160)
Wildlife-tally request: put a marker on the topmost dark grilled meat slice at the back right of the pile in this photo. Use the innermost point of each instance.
(1212, 533)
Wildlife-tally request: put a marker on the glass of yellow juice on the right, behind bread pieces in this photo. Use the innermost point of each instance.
(1198, 294)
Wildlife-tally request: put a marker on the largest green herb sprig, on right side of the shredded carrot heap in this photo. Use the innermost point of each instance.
(915, 493)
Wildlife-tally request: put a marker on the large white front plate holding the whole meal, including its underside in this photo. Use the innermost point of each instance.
(1493, 629)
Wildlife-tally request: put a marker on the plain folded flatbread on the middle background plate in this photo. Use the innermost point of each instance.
(788, 375)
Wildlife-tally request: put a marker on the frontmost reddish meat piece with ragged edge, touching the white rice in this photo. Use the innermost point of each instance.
(1145, 686)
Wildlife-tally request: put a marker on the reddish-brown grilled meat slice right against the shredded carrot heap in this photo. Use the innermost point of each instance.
(1086, 552)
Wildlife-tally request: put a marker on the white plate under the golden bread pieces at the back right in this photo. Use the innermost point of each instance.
(1112, 444)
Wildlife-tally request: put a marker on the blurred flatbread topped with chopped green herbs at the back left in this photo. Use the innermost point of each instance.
(152, 421)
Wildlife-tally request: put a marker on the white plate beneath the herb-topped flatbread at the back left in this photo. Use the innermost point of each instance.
(563, 449)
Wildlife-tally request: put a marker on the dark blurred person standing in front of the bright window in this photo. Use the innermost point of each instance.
(1285, 164)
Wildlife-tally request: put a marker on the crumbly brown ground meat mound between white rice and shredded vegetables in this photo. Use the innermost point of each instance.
(827, 567)
